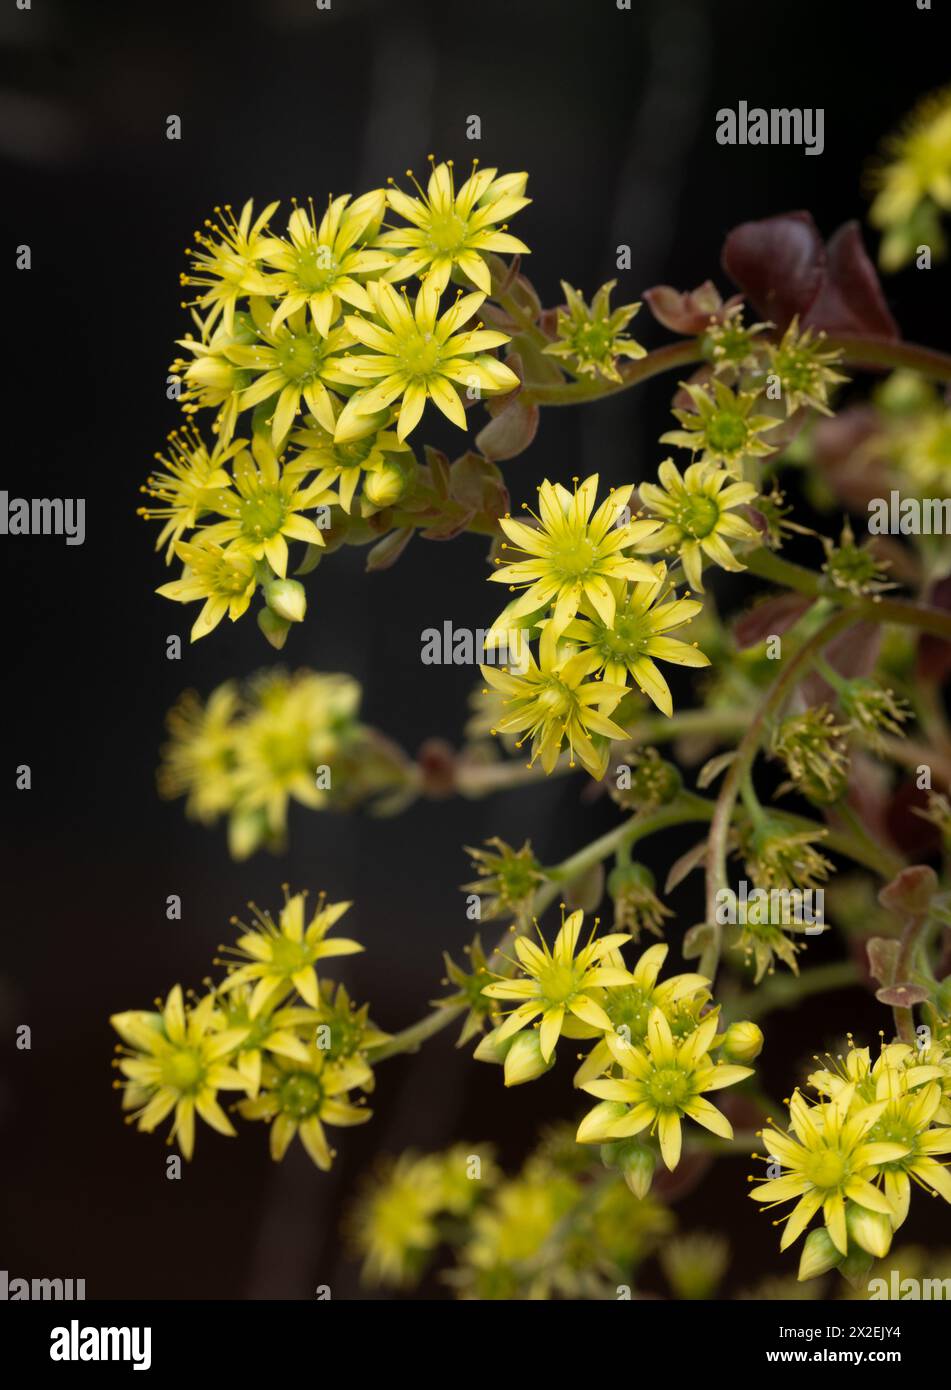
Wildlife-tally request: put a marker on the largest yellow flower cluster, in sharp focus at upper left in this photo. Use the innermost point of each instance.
(307, 333)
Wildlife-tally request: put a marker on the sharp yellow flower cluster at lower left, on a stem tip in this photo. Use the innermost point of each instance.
(273, 1031)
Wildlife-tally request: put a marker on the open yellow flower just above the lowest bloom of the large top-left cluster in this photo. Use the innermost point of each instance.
(265, 507)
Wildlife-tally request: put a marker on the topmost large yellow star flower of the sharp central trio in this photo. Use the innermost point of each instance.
(572, 554)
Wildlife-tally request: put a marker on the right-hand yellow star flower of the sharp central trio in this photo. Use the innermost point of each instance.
(637, 636)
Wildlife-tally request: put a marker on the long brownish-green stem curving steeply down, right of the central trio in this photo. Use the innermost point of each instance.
(717, 850)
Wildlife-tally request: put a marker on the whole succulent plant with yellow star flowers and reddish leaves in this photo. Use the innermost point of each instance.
(325, 348)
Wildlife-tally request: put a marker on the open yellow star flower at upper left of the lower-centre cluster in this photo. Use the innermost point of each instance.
(560, 983)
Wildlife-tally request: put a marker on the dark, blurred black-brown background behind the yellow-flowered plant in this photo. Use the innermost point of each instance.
(612, 113)
